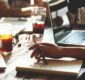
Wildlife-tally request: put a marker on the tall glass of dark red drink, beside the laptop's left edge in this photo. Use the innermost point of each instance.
(38, 18)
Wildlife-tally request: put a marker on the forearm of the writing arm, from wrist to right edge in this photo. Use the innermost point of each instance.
(75, 52)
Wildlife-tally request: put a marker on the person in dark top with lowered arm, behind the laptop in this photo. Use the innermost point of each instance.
(73, 7)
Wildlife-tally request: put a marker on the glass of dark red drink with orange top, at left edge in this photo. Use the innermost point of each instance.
(5, 38)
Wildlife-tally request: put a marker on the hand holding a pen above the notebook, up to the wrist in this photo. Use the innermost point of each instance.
(50, 50)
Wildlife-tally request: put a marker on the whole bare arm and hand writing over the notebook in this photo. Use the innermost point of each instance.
(55, 51)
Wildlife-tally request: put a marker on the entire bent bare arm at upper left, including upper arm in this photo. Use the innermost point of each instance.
(6, 11)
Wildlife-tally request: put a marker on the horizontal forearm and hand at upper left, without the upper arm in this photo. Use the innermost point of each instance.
(14, 13)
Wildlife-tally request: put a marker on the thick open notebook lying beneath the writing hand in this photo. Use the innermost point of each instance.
(54, 67)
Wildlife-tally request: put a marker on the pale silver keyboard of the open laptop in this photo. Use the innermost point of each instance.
(74, 37)
